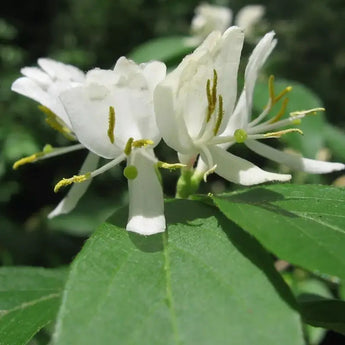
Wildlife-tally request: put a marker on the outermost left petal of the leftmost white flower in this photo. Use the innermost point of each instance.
(33, 90)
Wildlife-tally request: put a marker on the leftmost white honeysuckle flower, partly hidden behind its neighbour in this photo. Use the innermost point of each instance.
(44, 85)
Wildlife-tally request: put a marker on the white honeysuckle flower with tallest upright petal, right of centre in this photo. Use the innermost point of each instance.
(194, 104)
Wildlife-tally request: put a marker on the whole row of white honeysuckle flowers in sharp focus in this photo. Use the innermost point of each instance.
(122, 114)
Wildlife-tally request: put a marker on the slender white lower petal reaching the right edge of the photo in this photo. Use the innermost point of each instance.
(295, 162)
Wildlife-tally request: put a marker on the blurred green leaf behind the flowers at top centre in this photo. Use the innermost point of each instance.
(166, 49)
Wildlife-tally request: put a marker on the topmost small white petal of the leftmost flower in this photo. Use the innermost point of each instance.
(59, 70)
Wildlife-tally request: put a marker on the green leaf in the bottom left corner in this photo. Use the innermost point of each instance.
(29, 300)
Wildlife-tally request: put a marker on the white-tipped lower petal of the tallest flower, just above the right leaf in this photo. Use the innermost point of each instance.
(238, 170)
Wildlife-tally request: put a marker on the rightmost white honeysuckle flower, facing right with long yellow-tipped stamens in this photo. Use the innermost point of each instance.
(242, 128)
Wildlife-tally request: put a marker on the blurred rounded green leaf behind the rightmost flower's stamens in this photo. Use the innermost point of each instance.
(300, 98)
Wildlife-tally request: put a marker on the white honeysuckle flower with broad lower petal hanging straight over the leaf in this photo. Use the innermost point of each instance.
(112, 115)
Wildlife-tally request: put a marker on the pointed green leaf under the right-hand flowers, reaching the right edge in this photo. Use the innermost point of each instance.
(302, 224)
